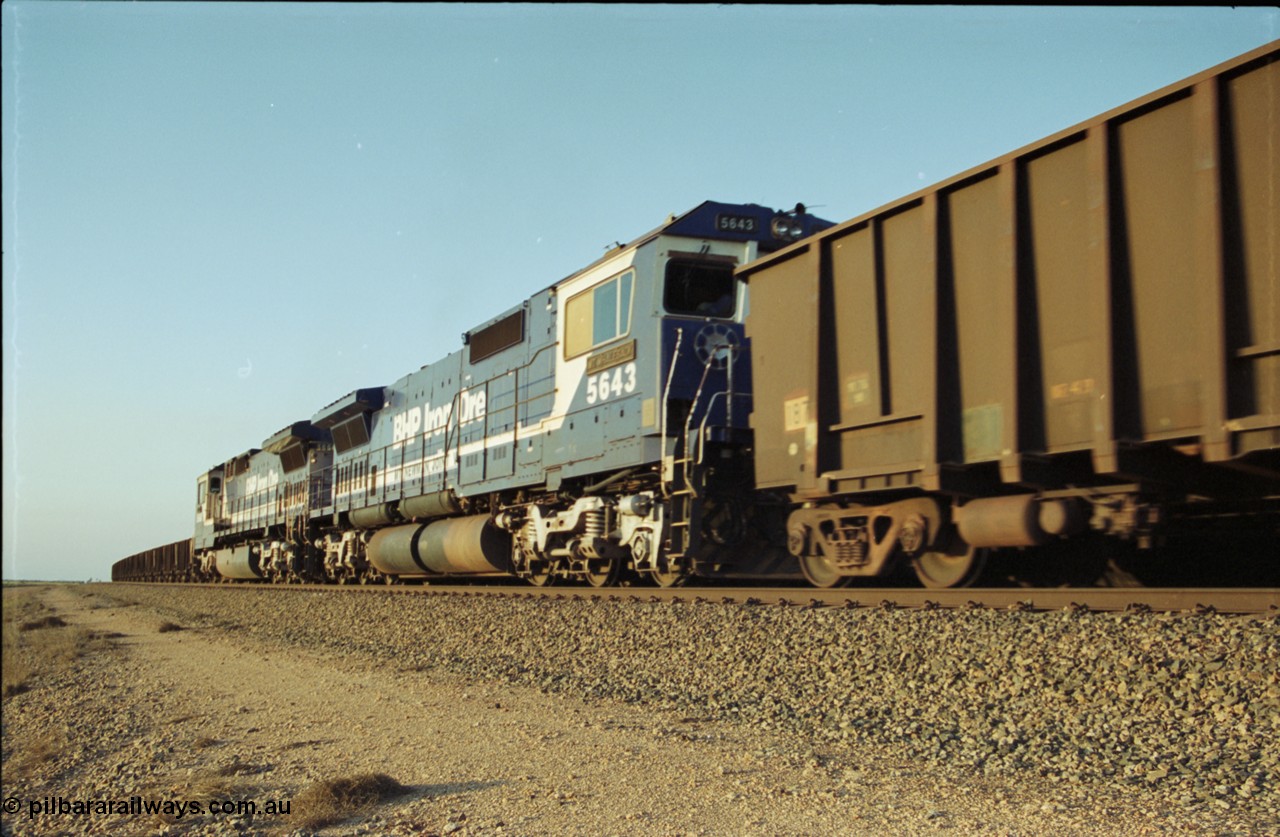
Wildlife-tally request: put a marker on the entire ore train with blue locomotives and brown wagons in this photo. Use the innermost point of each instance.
(1075, 346)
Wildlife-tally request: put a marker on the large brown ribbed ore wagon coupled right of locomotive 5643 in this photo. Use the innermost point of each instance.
(1081, 339)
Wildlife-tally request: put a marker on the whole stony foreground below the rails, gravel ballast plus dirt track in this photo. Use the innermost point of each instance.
(534, 717)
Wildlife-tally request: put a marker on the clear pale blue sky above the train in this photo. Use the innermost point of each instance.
(220, 218)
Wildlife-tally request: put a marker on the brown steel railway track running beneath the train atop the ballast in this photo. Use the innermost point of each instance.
(1237, 601)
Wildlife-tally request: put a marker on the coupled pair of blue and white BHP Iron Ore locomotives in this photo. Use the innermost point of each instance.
(597, 429)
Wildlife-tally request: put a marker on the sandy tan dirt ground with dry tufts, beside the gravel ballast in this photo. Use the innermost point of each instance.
(158, 715)
